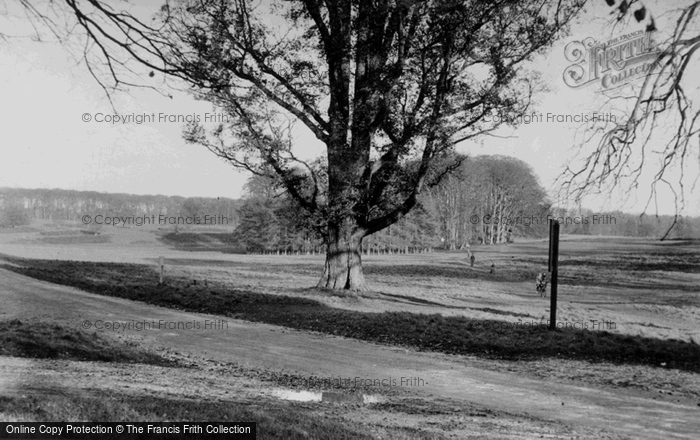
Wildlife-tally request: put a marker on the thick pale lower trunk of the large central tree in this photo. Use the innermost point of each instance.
(343, 268)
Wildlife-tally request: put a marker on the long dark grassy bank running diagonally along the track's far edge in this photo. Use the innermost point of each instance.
(456, 335)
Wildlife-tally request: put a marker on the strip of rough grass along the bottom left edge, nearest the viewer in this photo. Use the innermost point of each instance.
(274, 421)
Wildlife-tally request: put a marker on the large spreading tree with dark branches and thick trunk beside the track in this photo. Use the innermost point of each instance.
(383, 84)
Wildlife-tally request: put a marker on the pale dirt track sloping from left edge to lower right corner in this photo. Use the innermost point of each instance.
(425, 374)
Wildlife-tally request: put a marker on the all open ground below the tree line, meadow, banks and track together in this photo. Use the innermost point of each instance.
(472, 340)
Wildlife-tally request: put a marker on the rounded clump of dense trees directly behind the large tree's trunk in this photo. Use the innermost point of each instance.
(450, 215)
